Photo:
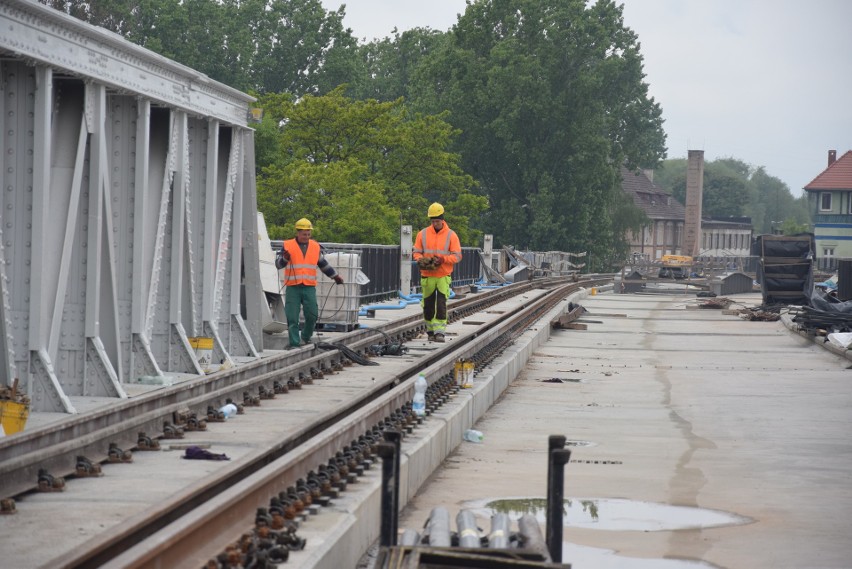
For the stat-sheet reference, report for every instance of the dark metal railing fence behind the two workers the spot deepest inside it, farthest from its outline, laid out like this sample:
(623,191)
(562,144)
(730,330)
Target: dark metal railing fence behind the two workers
(380,263)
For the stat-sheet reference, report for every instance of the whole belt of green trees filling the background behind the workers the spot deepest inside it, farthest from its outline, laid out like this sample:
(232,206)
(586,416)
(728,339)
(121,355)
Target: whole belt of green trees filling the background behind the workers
(540,102)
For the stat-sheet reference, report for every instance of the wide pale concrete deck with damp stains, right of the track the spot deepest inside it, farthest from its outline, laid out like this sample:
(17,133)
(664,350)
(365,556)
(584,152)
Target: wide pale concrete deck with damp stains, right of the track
(683,407)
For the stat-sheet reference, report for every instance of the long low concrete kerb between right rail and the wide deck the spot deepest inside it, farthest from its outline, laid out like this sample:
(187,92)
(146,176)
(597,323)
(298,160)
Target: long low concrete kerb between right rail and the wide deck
(356,525)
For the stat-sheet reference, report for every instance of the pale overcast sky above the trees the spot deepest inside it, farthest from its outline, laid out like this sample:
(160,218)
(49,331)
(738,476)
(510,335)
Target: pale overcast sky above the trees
(766,81)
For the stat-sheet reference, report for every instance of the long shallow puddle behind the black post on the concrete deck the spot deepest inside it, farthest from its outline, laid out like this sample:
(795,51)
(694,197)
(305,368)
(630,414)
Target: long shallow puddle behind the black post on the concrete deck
(610,513)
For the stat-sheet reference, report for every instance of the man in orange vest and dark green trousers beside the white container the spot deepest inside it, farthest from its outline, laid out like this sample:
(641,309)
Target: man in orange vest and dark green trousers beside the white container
(299,258)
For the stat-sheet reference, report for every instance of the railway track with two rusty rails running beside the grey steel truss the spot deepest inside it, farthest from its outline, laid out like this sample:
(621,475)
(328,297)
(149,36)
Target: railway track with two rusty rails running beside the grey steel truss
(186,527)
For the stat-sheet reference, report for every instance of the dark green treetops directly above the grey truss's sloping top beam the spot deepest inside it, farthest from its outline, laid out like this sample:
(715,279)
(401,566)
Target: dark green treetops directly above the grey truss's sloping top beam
(253,45)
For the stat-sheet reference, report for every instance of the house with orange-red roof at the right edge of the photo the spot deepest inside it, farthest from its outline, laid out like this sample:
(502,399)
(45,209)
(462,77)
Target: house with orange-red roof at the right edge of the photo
(830,202)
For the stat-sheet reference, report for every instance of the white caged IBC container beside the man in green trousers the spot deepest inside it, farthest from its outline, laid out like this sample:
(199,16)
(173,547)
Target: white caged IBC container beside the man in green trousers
(339,304)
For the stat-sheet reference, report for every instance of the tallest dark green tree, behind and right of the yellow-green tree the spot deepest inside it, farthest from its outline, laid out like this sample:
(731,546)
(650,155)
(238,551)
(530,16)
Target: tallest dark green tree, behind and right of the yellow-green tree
(550,101)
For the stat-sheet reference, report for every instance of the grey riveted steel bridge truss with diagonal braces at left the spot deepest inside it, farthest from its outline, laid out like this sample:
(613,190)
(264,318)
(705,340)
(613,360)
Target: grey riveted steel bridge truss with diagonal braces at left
(127,213)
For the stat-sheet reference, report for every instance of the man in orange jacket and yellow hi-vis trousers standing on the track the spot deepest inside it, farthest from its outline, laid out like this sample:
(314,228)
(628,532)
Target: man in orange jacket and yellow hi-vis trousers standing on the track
(436,250)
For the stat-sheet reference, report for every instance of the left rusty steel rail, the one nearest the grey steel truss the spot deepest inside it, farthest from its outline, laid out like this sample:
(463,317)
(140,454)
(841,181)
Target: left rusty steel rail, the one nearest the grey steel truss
(55,447)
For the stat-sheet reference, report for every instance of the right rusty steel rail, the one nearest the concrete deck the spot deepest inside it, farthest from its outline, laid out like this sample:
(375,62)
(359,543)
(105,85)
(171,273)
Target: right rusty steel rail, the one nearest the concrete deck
(191,527)
